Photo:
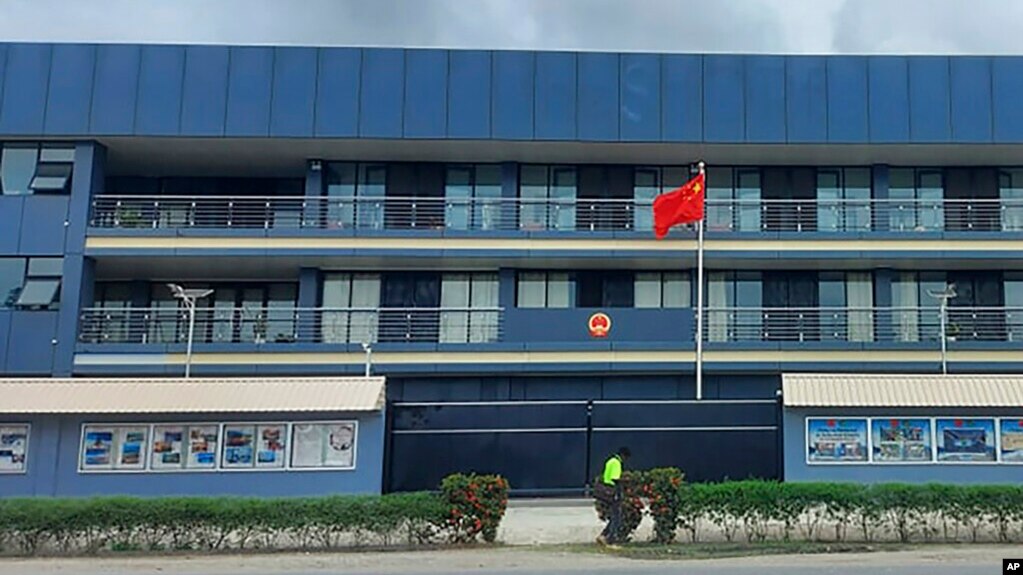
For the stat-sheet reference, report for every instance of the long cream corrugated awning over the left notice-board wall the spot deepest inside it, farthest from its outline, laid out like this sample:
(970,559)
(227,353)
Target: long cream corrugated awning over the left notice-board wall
(200,395)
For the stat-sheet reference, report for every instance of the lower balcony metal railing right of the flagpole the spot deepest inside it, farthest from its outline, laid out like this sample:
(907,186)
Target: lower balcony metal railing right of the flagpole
(863,325)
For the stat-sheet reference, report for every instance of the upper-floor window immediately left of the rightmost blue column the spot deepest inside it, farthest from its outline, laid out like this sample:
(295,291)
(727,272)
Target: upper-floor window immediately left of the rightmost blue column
(844,200)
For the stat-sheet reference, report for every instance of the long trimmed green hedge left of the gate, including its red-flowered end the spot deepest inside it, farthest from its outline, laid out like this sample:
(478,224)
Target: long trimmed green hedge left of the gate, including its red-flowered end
(33,526)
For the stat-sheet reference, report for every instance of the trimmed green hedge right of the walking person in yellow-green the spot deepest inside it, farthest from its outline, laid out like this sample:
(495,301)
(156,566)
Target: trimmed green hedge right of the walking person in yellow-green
(761,511)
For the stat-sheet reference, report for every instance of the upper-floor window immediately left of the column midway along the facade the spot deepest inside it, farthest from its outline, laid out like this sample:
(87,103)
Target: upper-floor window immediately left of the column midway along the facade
(473,197)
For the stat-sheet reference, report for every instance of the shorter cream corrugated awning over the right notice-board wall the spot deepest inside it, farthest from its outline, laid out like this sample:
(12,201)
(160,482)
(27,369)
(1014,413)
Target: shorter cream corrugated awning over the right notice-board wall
(861,390)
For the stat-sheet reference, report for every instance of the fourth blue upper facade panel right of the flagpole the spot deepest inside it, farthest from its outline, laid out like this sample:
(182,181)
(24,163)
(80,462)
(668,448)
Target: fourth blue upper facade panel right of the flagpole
(848,115)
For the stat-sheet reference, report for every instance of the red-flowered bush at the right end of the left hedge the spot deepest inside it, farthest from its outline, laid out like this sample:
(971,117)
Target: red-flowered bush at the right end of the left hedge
(476,504)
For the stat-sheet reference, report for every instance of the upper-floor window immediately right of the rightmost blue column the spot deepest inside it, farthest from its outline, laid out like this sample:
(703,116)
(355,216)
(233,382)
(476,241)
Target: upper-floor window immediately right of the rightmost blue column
(916,200)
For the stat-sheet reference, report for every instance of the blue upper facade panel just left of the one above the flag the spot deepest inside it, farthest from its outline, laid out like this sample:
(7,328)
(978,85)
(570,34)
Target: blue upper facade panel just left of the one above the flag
(641,98)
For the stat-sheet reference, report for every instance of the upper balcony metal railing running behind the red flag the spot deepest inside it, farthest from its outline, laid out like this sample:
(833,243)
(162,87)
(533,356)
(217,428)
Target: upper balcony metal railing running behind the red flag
(568,215)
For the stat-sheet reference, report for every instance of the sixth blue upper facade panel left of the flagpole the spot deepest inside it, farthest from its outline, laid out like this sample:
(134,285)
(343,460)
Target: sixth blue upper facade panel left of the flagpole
(469,95)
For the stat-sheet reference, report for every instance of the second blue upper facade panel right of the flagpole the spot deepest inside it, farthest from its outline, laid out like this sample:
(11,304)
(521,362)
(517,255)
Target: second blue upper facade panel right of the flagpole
(766,114)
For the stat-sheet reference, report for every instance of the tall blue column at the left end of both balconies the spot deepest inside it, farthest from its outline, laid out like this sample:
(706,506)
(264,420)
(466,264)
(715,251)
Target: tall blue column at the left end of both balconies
(78,281)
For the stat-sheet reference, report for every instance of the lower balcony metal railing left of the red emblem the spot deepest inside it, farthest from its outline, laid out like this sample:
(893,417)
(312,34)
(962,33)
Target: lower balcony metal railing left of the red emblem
(291,326)
